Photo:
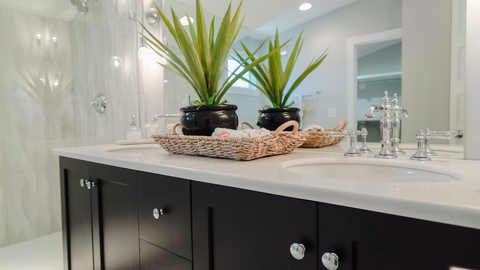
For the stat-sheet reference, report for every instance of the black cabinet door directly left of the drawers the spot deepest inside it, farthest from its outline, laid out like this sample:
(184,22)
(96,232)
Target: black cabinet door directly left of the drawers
(115,218)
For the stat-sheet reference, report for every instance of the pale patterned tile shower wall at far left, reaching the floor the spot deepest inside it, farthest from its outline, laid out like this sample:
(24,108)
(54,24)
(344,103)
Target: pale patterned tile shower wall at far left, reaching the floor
(36,102)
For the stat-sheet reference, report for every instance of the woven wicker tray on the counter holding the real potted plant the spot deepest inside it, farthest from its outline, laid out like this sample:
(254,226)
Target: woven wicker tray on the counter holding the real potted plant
(278,143)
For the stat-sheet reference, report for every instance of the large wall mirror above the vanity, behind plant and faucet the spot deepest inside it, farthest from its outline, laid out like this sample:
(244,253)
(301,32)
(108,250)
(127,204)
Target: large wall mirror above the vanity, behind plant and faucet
(414,49)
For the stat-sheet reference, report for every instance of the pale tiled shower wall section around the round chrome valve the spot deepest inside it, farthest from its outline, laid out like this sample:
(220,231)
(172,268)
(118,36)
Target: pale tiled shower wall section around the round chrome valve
(96,45)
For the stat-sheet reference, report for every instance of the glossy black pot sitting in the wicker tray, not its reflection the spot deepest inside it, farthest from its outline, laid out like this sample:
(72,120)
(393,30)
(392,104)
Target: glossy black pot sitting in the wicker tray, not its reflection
(202,120)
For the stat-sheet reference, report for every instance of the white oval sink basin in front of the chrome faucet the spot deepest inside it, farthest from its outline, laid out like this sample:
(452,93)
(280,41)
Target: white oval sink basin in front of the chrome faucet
(381,171)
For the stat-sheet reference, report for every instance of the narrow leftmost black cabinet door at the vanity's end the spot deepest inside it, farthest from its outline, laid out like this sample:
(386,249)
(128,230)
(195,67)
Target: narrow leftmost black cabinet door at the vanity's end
(76,215)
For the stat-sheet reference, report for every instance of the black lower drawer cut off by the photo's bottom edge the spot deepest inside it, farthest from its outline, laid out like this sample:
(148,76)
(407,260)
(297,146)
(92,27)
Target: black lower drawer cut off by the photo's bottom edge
(154,258)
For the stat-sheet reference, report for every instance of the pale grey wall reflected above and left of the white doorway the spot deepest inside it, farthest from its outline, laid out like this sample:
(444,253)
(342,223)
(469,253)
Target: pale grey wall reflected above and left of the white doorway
(332,30)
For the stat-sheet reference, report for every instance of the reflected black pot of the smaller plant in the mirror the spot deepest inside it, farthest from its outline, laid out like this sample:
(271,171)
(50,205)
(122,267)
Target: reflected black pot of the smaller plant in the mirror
(272,118)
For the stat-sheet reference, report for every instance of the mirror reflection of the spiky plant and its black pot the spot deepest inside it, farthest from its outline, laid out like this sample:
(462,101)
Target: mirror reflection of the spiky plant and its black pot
(272,82)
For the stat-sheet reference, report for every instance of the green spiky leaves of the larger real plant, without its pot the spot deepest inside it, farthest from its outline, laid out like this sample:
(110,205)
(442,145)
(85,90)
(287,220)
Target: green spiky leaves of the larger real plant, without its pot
(204,55)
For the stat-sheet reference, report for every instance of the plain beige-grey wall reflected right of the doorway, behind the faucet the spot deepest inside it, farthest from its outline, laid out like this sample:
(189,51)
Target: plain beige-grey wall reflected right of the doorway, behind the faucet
(426,65)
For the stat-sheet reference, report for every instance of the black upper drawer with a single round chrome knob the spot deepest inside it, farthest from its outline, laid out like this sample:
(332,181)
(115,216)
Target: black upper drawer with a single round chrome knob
(170,196)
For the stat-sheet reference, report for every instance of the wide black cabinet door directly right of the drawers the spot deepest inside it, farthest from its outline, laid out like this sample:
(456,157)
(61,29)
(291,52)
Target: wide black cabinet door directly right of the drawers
(236,229)
